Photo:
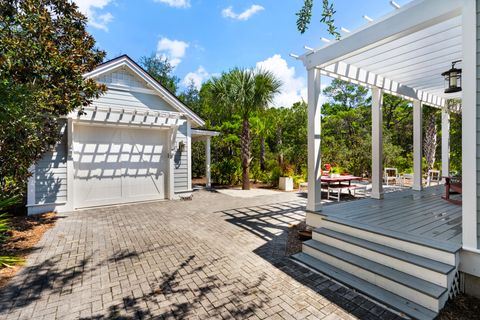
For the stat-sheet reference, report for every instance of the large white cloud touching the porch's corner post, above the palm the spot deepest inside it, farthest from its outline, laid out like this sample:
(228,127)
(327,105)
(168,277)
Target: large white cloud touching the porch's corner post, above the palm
(294,87)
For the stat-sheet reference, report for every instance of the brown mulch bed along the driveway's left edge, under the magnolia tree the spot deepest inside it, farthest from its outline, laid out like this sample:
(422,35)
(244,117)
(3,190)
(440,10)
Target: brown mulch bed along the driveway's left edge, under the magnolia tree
(24,235)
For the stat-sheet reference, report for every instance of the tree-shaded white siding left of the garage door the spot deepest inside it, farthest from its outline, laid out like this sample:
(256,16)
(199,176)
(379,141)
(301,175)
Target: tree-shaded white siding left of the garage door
(51,174)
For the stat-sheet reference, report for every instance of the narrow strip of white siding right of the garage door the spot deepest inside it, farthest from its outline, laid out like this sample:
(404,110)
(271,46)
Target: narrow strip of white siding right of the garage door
(180,162)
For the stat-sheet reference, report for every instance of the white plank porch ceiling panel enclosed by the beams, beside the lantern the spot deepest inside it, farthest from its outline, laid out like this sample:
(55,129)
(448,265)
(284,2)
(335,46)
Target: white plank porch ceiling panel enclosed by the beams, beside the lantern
(418,59)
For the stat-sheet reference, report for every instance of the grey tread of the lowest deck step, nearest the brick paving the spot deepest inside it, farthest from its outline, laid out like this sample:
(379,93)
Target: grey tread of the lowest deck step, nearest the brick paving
(403,305)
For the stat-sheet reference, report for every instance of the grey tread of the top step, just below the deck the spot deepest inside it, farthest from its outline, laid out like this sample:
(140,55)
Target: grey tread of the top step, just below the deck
(388,251)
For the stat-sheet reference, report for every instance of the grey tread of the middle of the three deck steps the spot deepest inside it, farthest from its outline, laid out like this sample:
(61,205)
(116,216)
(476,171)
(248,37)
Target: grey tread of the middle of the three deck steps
(417,284)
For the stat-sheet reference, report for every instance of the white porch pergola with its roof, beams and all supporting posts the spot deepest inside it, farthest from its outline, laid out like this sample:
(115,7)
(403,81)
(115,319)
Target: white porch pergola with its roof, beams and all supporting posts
(404,54)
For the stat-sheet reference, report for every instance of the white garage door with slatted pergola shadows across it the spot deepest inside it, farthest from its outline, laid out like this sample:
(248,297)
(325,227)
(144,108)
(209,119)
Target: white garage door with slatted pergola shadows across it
(118,165)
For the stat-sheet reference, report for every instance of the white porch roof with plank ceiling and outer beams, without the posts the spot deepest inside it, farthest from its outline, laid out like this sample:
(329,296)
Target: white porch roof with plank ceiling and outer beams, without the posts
(404,52)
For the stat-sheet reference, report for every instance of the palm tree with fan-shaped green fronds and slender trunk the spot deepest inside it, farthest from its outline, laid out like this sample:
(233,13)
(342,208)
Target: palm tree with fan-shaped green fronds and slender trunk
(242,92)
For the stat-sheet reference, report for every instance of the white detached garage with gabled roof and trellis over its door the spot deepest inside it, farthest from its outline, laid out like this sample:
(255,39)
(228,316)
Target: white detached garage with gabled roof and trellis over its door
(132,144)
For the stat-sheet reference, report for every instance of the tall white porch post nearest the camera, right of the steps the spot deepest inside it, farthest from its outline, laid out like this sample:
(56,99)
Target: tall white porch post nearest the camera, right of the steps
(469,128)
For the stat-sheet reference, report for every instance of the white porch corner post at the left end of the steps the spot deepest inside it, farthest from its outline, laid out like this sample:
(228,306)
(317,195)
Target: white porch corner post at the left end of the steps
(314,130)
